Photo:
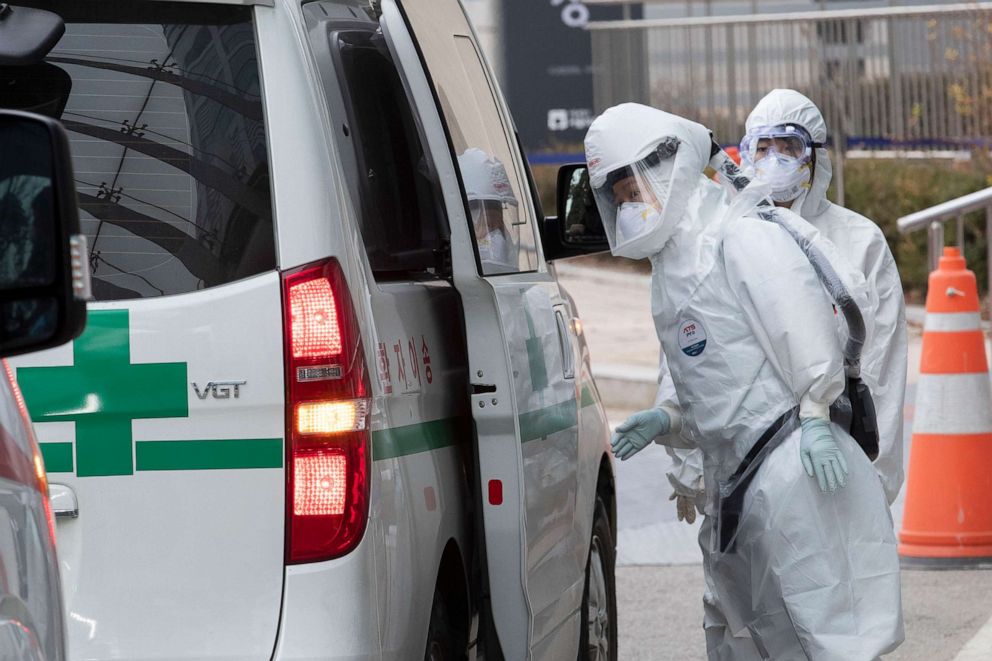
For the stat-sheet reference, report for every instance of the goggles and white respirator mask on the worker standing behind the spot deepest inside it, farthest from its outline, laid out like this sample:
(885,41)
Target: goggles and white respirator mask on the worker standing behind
(781,156)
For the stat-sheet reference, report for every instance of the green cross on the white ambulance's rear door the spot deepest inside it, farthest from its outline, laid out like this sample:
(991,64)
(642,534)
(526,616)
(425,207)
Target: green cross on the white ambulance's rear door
(103,393)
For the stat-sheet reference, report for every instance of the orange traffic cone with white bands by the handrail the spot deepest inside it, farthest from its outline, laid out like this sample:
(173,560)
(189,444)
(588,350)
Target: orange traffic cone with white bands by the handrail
(948,514)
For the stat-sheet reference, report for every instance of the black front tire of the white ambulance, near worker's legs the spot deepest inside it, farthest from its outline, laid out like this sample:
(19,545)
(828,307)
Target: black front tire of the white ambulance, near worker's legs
(598,634)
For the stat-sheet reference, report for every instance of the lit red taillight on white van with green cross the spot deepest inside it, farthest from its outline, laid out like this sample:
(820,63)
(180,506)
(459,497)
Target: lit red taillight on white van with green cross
(327,409)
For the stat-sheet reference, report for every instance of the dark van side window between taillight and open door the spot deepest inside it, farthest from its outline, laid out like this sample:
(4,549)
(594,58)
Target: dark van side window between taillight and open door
(392,183)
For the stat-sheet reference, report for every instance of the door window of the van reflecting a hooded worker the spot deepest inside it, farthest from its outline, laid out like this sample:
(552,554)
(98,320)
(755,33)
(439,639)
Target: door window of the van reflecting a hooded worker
(496,193)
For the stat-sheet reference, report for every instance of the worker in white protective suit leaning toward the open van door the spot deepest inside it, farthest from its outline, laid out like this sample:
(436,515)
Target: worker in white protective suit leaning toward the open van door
(802,551)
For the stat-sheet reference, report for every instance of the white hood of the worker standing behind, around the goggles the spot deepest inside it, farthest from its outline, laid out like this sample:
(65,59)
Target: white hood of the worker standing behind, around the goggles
(784,106)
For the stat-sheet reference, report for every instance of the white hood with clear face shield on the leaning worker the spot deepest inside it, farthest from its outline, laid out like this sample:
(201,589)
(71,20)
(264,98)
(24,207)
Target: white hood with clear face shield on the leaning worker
(662,152)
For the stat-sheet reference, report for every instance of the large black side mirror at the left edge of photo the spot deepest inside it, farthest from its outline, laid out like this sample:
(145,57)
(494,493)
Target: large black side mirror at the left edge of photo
(44,272)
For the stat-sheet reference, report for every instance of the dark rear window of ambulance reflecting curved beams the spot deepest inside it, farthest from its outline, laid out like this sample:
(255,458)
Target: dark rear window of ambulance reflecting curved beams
(163,107)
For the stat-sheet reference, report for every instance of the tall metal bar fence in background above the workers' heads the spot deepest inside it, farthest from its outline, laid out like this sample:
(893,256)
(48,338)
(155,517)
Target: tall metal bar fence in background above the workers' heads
(918,77)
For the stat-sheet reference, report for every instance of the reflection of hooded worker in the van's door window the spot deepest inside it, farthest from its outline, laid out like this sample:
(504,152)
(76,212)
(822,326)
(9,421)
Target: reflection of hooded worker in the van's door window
(493,208)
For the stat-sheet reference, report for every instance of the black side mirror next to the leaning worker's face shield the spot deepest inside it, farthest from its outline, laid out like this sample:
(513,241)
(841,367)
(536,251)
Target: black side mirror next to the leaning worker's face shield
(578,229)
